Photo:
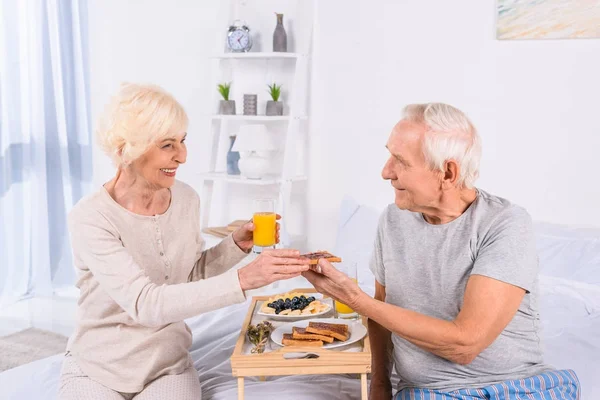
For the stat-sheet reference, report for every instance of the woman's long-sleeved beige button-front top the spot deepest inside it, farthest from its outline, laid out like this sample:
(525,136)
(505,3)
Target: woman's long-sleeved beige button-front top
(139,278)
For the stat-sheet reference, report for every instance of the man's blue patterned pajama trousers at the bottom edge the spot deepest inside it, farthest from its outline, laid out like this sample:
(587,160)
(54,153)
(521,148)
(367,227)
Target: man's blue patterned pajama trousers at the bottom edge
(562,384)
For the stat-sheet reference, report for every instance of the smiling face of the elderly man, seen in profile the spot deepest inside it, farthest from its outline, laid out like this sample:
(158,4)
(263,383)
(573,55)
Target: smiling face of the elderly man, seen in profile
(415,185)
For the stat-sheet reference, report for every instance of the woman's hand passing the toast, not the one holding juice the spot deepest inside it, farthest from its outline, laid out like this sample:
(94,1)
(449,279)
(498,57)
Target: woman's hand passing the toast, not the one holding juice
(271,266)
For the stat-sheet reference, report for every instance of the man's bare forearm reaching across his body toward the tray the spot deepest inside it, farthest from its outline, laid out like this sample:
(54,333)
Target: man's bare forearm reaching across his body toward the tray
(442,338)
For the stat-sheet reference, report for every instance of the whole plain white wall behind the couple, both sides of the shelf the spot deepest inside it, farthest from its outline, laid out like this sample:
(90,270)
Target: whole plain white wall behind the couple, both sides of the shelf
(534,102)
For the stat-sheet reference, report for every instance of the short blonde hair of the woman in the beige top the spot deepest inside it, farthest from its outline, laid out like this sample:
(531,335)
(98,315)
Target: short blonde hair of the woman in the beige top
(137,117)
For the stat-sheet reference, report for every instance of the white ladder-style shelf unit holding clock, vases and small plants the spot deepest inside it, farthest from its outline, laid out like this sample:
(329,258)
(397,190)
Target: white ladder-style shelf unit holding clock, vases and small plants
(294,124)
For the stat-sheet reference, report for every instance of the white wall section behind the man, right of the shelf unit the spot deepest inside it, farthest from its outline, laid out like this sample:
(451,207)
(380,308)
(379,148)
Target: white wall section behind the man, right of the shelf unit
(535,104)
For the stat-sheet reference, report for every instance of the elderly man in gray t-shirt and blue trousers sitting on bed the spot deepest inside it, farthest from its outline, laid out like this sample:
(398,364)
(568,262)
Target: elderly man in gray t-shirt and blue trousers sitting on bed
(455,305)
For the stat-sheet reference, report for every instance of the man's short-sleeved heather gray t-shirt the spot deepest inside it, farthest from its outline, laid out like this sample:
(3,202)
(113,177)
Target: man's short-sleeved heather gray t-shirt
(425,268)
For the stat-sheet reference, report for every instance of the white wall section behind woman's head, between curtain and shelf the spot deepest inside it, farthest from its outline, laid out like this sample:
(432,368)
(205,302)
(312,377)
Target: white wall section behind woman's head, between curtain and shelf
(152,42)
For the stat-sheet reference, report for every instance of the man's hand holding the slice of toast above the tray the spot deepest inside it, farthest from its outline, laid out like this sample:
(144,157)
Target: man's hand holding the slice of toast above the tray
(333,283)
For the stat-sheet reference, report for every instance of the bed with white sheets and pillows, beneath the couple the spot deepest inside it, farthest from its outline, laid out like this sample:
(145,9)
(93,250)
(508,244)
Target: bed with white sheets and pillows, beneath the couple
(570,313)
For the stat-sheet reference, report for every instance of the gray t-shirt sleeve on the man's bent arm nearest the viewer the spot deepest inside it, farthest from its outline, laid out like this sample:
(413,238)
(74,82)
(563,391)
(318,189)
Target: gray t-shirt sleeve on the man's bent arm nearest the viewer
(507,251)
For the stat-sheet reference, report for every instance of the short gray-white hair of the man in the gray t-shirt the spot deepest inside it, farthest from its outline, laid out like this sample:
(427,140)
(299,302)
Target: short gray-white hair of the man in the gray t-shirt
(450,136)
